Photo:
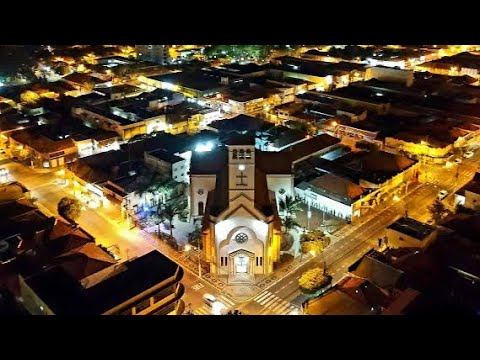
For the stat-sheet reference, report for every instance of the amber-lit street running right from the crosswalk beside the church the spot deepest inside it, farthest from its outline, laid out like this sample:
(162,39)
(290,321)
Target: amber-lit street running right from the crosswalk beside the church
(359,239)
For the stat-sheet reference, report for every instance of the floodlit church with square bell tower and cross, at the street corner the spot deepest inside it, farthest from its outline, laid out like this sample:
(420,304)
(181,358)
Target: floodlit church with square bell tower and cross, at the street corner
(235,191)
